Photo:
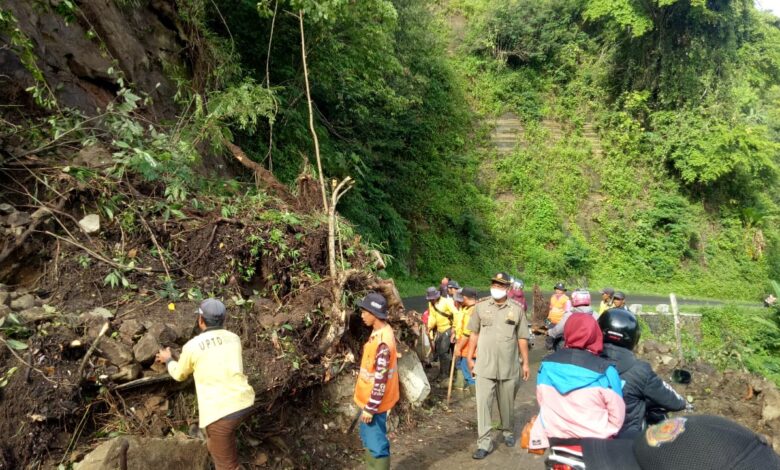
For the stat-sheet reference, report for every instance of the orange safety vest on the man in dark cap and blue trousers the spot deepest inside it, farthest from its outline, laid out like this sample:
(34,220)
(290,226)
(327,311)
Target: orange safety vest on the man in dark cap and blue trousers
(365,381)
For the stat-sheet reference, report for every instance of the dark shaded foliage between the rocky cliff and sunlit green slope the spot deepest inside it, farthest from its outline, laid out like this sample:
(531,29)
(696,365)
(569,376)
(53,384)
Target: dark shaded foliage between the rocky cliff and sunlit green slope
(389,113)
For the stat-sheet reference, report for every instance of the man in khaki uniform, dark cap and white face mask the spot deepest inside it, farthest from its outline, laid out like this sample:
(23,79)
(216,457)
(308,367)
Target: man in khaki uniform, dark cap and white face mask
(499,330)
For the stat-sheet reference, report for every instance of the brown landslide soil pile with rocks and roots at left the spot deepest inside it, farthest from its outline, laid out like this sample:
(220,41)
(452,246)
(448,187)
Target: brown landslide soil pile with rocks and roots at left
(102,273)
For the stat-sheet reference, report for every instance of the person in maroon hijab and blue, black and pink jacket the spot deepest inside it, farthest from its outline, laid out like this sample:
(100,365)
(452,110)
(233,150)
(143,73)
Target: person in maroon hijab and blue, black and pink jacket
(579,393)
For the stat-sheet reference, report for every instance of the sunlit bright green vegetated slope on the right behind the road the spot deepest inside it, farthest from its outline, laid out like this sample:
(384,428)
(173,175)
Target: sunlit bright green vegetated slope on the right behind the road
(649,148)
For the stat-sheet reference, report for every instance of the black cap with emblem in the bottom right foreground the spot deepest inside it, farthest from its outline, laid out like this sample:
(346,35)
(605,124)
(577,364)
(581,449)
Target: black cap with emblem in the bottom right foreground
(690,442)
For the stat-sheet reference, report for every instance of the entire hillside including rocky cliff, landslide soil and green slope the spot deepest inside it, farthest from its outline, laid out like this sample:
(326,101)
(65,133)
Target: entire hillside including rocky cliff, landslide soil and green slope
(290,156)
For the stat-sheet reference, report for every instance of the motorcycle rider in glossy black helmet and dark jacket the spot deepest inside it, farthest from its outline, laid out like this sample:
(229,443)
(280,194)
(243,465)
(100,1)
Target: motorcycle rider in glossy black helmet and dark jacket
(643,391)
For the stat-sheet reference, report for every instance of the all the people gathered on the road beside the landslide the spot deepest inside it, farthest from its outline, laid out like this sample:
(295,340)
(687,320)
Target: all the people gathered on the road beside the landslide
(591,387)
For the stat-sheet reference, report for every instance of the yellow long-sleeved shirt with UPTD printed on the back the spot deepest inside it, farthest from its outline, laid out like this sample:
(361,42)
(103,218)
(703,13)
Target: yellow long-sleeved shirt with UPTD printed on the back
(214,358)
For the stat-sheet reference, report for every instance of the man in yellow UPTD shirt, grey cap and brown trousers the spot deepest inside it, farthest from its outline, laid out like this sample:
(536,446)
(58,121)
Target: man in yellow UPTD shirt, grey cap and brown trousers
(225,397)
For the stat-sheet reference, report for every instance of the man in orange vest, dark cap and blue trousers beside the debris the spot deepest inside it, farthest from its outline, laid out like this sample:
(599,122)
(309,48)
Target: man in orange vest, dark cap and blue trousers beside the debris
(377,389)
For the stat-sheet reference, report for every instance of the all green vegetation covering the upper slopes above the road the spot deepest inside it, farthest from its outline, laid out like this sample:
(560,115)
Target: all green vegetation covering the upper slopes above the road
(647,158)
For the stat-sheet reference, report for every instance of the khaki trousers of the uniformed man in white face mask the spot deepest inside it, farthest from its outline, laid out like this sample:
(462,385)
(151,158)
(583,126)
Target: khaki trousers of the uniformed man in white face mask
(504,393)
